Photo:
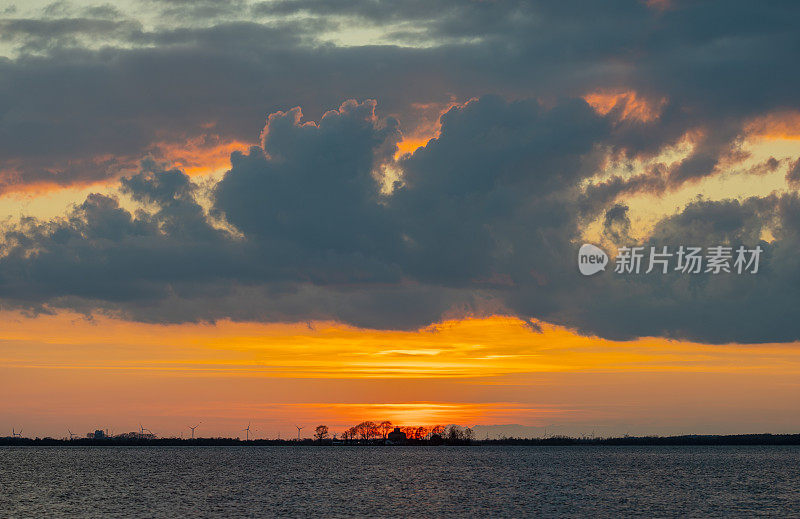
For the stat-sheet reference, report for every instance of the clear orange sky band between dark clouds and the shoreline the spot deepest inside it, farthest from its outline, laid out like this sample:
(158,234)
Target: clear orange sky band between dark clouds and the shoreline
(64,371)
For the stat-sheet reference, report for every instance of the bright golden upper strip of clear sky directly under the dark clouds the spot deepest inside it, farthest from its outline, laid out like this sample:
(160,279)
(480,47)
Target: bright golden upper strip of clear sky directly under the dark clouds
(471,347)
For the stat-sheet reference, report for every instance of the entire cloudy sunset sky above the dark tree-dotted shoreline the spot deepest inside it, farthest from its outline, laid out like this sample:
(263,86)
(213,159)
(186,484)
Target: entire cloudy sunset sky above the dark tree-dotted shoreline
(294,212)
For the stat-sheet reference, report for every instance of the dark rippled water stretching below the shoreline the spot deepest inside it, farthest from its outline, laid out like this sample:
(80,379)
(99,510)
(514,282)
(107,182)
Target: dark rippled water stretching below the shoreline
(402,481)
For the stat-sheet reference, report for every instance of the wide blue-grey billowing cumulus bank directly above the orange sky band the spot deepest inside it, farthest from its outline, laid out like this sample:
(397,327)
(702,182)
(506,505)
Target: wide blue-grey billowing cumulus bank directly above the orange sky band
(486,219)
